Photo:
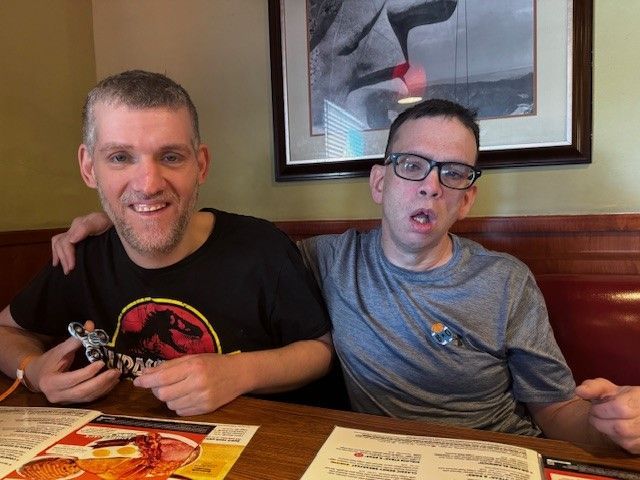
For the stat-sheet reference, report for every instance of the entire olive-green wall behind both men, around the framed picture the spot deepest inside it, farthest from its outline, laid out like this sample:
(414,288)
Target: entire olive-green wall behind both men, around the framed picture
(219,50)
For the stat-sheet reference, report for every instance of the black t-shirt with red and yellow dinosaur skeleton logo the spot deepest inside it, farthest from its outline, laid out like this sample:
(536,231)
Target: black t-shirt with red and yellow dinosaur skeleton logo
(245,289)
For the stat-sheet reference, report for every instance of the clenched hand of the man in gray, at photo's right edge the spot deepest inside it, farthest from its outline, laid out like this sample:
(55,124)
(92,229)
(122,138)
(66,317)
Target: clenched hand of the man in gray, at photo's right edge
(615,411)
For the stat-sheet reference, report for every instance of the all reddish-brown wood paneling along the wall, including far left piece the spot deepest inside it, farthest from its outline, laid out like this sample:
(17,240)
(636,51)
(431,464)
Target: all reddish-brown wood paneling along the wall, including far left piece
(548,244)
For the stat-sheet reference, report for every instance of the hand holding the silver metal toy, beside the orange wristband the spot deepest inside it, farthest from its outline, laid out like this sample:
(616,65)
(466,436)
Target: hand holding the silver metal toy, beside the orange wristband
(50,374)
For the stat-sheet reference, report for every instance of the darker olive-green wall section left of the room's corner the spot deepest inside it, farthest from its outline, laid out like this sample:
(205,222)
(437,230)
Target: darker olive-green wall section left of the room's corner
(47,66)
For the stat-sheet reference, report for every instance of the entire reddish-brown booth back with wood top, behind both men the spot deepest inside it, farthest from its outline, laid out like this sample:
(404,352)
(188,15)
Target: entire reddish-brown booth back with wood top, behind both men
(595,317)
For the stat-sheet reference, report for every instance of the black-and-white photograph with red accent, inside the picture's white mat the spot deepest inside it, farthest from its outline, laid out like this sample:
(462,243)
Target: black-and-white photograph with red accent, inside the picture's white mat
(368,61)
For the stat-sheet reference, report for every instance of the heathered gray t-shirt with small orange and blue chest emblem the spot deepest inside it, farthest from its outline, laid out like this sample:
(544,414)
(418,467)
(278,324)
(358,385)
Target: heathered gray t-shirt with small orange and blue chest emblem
(387,322)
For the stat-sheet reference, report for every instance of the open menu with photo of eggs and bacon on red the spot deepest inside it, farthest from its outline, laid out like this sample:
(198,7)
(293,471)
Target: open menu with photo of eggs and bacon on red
(67,443)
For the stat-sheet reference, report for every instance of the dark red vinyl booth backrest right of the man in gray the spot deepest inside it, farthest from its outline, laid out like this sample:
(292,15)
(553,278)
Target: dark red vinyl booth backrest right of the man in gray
(596,322)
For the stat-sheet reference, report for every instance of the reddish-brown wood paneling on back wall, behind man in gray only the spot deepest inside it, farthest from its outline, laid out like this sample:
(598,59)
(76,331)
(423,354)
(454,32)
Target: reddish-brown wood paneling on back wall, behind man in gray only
(548,244)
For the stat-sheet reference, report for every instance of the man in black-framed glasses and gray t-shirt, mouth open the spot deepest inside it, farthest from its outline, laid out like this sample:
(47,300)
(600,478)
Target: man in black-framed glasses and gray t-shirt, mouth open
(428,325)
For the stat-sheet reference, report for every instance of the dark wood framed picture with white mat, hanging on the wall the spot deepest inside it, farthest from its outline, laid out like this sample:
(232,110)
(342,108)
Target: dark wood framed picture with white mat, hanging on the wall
(342,70)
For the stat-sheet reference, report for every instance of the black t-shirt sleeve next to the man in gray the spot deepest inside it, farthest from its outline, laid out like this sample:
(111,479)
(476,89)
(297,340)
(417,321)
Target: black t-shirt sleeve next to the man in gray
(299,309)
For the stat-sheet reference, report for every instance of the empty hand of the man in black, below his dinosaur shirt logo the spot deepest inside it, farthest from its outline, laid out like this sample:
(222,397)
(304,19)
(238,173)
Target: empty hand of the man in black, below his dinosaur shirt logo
(195,384)
